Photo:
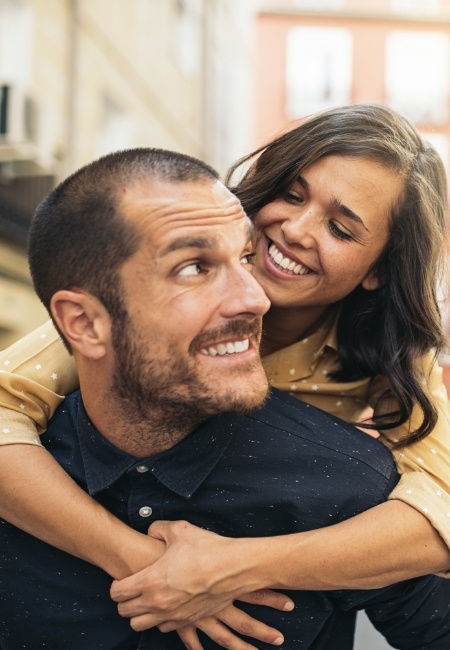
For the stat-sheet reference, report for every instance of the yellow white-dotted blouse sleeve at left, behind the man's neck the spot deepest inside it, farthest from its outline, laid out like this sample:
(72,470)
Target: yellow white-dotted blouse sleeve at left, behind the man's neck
(35,374)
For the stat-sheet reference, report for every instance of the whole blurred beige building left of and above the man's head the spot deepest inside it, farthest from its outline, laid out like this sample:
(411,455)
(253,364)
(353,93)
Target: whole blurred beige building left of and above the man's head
(80,78)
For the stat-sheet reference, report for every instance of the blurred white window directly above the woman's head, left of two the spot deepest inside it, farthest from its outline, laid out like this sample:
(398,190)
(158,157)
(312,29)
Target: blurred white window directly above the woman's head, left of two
(318,69)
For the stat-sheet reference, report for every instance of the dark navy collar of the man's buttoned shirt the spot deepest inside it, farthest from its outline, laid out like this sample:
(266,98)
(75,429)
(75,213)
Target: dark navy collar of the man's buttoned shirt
(182,469)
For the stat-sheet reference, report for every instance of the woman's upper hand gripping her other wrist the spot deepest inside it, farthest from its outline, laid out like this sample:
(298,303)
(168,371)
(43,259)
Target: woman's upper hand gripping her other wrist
(200,574)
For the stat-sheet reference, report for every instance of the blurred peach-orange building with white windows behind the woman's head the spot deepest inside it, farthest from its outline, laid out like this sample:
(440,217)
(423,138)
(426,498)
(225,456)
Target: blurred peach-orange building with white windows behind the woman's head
(327,53)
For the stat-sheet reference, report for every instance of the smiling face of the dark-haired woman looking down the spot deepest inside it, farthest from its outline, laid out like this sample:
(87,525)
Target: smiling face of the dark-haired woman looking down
(320,240)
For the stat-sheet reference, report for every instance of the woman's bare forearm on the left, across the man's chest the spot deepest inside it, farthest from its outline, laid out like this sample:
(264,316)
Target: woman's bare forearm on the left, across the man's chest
(40,498)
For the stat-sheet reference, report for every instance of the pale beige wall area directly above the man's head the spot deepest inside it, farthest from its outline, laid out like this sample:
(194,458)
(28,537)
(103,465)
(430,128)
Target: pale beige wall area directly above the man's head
(164,67)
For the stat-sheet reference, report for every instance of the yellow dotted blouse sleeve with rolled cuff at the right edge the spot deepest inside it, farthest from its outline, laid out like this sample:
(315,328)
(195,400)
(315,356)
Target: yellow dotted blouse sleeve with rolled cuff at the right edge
(425,465)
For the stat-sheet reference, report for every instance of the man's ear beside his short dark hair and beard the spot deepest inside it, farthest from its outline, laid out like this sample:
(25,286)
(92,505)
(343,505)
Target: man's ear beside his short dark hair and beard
(83,320)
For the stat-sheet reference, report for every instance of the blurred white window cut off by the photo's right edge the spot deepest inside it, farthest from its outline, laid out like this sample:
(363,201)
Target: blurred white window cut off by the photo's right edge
(417,75)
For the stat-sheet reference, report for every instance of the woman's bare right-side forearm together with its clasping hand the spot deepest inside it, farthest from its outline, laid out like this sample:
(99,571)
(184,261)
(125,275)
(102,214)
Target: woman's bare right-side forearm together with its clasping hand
(386,544)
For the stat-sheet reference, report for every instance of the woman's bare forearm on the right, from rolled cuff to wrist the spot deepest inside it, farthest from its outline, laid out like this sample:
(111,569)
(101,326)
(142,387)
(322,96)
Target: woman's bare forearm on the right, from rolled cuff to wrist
(387,544)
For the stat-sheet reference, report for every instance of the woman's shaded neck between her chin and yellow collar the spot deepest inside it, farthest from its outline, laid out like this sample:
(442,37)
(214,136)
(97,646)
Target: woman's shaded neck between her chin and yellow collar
(283,327)
